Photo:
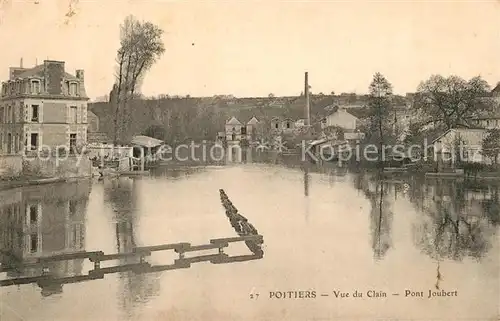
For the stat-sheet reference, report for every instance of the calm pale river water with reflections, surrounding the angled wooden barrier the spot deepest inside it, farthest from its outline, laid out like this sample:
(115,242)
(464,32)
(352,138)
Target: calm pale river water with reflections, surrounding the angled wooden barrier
(323,233)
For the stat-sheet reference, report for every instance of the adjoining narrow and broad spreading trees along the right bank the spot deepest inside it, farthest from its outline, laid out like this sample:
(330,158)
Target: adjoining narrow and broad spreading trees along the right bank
(439,104)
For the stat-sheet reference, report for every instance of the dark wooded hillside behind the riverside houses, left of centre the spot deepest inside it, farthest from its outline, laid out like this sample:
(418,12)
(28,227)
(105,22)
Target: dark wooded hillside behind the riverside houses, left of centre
(176,119)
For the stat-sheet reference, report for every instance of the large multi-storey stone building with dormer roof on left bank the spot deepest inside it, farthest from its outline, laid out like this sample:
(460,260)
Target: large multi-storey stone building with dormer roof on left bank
(42,106)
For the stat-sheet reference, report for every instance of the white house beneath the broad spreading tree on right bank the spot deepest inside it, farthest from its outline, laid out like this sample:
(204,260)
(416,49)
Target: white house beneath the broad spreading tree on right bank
(446,147)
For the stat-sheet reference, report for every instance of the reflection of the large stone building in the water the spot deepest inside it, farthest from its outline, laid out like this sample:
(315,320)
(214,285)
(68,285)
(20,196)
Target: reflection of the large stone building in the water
(39,222)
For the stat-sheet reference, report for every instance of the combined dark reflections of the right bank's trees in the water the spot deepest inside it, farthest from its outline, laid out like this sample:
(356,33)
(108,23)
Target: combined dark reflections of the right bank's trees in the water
(458,217)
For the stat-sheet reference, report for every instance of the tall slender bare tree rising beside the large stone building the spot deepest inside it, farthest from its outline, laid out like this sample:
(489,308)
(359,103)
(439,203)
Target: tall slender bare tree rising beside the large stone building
(140,47)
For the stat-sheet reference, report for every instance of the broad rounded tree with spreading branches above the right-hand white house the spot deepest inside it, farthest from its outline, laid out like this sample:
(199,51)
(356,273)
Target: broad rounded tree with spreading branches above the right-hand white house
(452,101)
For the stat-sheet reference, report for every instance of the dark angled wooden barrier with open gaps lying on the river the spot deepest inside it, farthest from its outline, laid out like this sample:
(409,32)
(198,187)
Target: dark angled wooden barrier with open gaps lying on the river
(247,233)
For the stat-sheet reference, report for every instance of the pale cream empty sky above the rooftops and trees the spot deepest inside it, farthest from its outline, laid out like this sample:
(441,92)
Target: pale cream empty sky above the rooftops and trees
(254,48)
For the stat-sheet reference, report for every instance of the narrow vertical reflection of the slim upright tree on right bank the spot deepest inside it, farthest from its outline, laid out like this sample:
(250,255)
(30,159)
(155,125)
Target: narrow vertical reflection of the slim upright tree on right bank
(381,215)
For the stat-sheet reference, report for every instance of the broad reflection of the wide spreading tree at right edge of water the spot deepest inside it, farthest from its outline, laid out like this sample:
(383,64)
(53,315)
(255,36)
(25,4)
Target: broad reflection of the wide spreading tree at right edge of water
(459,218)
